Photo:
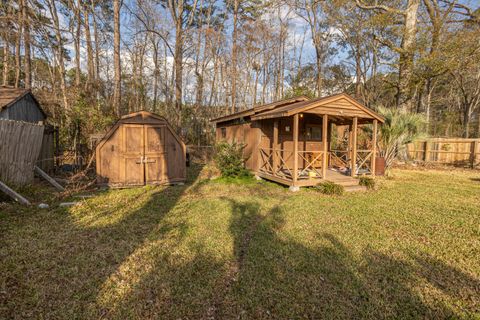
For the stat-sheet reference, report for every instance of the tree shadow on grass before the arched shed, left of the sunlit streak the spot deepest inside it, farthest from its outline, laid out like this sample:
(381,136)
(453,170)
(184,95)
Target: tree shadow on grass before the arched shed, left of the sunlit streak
(57,264)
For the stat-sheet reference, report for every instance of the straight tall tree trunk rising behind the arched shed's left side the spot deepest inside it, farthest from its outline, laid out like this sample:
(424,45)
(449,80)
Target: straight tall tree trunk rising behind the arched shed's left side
(116,58)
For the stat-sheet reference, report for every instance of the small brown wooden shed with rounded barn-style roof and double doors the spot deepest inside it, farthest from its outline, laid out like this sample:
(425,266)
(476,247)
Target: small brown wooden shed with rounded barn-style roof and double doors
(141,148)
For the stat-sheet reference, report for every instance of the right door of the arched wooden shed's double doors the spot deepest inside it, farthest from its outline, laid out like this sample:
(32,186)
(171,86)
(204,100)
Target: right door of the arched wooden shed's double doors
(155,154)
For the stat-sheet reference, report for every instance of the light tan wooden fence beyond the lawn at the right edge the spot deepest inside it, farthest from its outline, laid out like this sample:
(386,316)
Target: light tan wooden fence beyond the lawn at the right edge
(456,151)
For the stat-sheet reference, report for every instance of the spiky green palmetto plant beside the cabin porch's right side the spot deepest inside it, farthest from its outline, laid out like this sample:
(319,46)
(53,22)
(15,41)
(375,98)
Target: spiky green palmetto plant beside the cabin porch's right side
(400,128)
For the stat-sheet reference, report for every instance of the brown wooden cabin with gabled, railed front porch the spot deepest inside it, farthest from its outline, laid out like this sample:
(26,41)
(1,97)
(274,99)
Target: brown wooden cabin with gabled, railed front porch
(290,141)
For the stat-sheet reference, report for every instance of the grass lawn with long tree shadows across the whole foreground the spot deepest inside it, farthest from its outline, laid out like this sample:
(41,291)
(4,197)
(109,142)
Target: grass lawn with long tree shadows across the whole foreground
(228,249)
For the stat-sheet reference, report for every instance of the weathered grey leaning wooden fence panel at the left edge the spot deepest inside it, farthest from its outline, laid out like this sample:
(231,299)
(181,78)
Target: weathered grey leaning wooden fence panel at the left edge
(20,144)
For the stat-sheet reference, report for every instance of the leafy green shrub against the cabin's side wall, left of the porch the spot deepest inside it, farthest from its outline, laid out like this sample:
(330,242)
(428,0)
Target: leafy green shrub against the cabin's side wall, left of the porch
(229,159)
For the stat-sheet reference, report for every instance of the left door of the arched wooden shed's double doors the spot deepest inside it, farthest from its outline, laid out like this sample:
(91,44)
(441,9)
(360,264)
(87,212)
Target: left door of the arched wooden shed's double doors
(134,171)
